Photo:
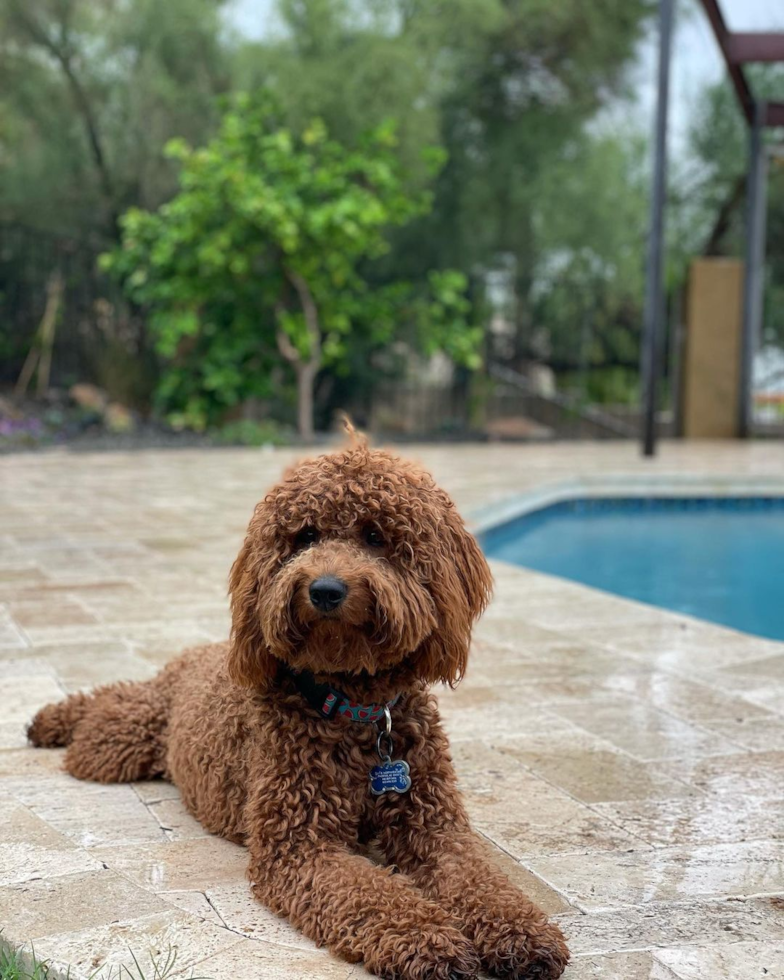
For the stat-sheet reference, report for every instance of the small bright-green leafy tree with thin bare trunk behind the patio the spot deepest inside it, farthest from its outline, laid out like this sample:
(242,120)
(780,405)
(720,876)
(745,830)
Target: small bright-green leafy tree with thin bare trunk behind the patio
(263,250)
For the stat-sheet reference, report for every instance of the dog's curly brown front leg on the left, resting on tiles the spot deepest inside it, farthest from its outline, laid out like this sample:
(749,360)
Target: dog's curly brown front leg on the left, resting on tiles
(360,911)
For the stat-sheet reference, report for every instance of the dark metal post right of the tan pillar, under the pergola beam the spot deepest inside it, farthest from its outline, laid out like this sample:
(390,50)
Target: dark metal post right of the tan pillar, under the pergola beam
(754,275)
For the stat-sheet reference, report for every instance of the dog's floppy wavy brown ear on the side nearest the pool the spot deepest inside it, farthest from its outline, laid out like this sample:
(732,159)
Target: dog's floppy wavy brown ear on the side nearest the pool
(461,585)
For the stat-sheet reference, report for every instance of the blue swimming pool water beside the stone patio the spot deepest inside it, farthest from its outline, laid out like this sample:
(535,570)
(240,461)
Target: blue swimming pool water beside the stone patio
(719,559)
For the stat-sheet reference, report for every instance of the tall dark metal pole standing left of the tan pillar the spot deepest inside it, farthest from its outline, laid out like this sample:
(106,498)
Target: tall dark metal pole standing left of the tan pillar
(654,299)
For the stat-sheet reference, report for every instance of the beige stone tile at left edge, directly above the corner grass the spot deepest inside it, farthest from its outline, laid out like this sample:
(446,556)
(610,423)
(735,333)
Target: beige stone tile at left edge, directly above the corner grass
(67,903)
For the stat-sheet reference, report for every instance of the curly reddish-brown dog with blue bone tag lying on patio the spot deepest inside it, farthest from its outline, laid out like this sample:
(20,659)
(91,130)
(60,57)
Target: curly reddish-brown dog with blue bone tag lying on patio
(355,589)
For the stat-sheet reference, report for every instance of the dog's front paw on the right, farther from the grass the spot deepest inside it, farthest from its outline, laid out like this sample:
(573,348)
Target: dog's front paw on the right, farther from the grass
(536,952)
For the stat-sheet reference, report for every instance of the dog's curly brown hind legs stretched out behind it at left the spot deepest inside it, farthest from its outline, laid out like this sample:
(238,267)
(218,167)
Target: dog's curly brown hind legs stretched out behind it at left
(115,735)
